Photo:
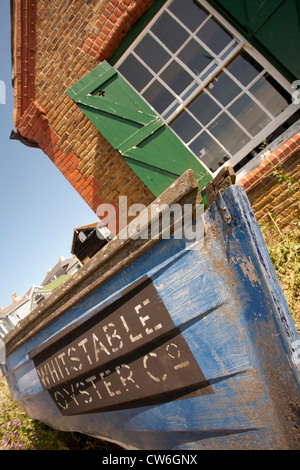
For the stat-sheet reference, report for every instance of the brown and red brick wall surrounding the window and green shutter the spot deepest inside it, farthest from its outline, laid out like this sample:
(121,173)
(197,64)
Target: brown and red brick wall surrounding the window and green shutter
(56,42)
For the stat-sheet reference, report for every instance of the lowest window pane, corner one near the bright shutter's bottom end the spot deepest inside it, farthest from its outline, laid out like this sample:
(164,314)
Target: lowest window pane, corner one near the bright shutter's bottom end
(209,151)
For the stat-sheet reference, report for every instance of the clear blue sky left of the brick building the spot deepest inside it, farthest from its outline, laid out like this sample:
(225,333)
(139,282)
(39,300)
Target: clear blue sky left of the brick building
(38,207)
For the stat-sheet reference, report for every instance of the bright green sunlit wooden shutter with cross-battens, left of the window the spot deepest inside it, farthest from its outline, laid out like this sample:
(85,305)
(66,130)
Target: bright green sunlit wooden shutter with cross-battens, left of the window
(148,145)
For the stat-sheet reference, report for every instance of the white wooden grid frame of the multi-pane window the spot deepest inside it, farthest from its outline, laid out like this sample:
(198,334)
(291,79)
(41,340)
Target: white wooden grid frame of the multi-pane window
(241,45)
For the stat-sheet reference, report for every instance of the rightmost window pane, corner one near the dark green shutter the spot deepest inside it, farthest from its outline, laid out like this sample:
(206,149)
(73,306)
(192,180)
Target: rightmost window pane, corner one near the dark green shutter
(270,94)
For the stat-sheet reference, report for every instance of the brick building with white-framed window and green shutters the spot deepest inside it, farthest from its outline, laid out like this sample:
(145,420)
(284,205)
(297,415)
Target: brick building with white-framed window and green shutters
(213,84)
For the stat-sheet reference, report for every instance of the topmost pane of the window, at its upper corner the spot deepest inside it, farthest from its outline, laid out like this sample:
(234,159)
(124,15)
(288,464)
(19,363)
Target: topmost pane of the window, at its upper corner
(191,14)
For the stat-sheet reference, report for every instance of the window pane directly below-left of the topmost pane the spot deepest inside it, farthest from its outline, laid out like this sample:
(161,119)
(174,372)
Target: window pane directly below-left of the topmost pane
(169,32)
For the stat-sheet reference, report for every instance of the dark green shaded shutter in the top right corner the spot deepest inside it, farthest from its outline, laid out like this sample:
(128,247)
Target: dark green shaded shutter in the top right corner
(272,26)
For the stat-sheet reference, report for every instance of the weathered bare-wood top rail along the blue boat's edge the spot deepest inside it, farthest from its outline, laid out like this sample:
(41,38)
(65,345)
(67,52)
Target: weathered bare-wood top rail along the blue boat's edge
(114,257)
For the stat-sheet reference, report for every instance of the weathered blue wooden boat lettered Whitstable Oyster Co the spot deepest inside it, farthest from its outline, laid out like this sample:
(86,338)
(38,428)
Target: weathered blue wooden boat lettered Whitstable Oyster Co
(166,343)
